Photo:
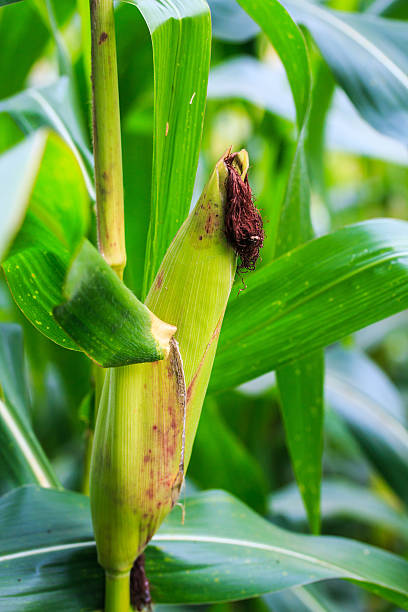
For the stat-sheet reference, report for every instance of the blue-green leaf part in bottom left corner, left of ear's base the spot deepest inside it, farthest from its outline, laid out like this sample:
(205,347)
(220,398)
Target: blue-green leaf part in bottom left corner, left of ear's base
(68,576)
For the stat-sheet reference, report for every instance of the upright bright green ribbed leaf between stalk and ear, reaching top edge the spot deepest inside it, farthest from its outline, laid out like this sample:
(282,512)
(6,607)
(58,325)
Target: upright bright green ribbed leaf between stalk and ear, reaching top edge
(181,39)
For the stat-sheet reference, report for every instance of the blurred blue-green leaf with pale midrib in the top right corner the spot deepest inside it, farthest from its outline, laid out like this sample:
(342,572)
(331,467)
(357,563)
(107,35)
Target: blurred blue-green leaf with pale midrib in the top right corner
(369,59)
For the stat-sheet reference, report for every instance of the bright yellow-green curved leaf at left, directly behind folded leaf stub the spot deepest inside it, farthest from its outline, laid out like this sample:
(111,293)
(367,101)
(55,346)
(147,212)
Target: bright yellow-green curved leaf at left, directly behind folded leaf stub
(56,221)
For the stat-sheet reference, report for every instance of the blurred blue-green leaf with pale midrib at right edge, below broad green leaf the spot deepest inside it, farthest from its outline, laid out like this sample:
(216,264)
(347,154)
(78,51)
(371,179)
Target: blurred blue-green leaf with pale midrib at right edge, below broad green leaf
(374,412)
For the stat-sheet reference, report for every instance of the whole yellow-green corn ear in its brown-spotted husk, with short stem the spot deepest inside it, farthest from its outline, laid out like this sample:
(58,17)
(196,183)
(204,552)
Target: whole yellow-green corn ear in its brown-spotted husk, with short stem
(149,413)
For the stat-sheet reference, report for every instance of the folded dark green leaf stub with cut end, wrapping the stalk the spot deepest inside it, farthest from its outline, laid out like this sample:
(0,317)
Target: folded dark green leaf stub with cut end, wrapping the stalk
(102,316)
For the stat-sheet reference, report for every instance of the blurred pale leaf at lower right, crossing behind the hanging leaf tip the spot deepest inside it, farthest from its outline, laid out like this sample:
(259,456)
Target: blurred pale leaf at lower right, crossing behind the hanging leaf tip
(345,501)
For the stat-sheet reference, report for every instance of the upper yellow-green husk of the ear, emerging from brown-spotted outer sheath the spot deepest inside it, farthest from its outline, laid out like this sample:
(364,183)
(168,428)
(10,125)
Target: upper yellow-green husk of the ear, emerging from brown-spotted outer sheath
(192,287)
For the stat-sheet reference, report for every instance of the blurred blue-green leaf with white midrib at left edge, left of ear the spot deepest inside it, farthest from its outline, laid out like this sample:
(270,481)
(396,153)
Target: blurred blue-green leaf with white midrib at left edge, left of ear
(19,448)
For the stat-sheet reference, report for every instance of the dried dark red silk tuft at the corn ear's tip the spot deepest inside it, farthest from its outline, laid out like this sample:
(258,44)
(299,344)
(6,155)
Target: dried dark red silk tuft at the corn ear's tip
(243,221)
